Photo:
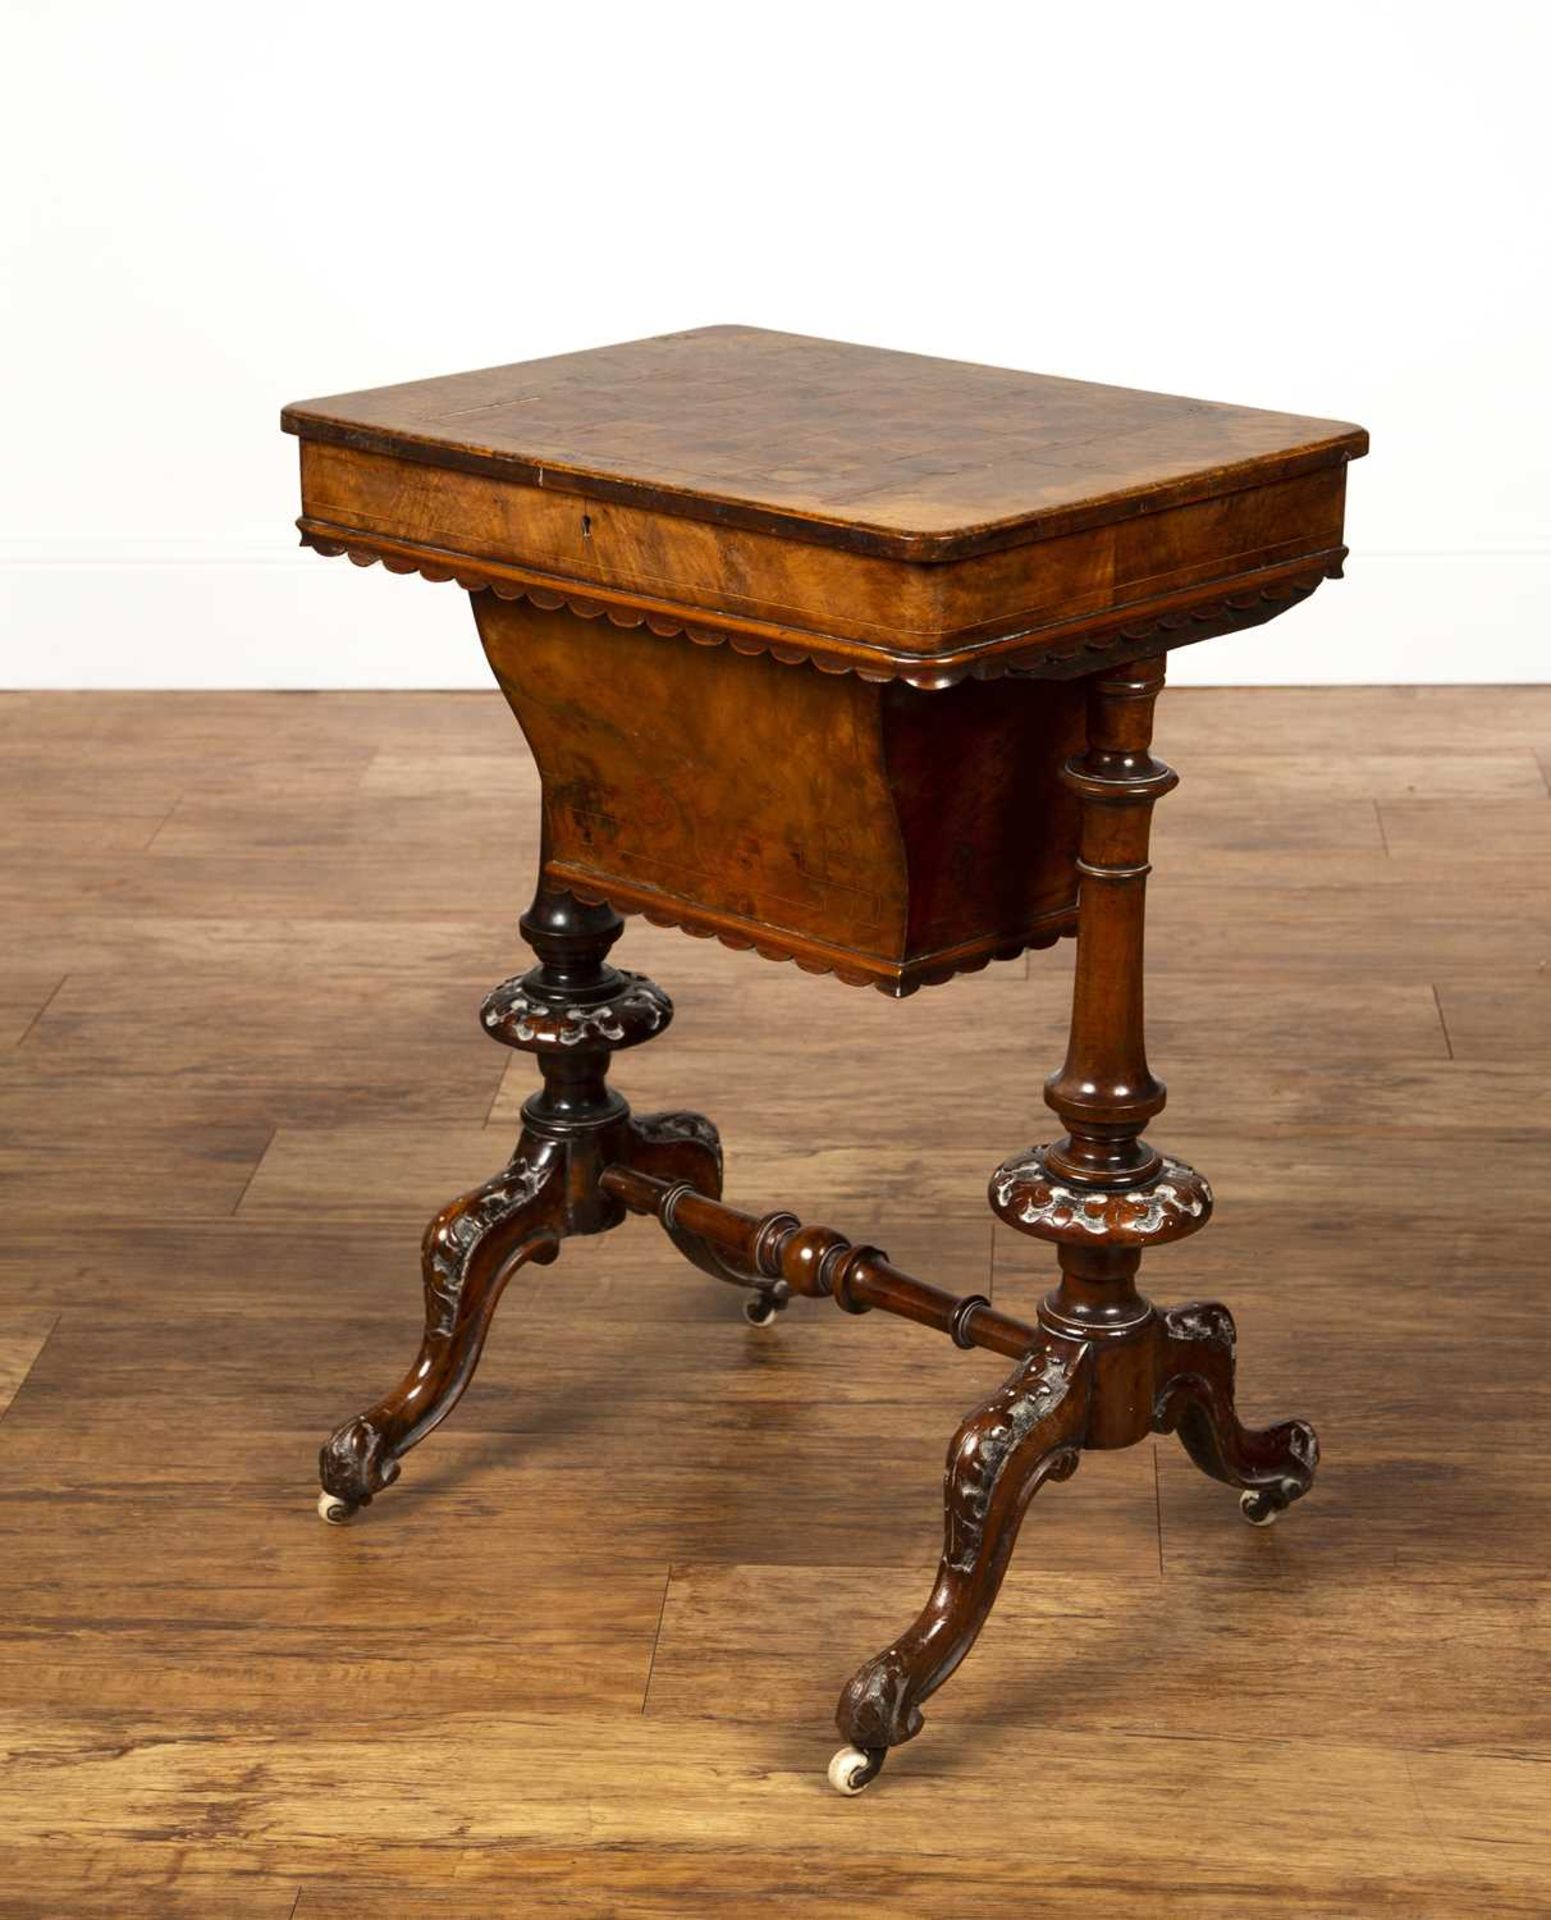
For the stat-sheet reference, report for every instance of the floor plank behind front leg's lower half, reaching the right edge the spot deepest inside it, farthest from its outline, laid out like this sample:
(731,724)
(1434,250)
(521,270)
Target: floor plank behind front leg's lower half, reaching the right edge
(1205,1656)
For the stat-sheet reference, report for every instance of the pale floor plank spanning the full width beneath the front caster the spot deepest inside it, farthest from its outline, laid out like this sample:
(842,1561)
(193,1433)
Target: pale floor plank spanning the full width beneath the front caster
(489,1783)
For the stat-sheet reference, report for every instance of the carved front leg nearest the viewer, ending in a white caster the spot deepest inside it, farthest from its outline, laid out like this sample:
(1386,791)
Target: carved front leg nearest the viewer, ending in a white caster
(1028,1433)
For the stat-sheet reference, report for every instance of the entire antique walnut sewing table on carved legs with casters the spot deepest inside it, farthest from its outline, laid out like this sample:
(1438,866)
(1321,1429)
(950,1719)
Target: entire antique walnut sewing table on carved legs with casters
(847,658)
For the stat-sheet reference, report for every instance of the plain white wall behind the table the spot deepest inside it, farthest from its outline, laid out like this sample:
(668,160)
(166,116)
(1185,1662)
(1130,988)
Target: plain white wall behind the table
(1331,208)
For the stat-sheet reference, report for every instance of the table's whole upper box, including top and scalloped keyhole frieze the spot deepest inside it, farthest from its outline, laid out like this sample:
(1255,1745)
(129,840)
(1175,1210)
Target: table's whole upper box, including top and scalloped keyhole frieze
(1099,523)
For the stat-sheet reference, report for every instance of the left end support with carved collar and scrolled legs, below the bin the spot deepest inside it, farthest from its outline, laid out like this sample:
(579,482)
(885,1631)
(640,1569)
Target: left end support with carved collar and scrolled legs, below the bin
(573,1011)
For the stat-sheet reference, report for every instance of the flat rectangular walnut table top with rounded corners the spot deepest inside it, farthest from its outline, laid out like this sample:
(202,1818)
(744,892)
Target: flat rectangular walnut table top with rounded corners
(857,448)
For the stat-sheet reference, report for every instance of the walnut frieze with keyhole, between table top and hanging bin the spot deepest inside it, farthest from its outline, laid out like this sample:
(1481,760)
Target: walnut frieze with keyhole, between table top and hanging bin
(613,550)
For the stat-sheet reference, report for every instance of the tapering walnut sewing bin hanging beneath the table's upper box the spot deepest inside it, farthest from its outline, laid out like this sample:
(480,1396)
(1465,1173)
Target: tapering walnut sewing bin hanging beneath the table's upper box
(871,830)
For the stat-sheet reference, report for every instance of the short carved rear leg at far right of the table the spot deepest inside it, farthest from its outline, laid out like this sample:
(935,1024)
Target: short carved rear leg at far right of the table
(1274,1466)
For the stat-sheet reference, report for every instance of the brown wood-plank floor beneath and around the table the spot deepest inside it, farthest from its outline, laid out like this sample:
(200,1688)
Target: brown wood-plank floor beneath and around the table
(585,1658)
